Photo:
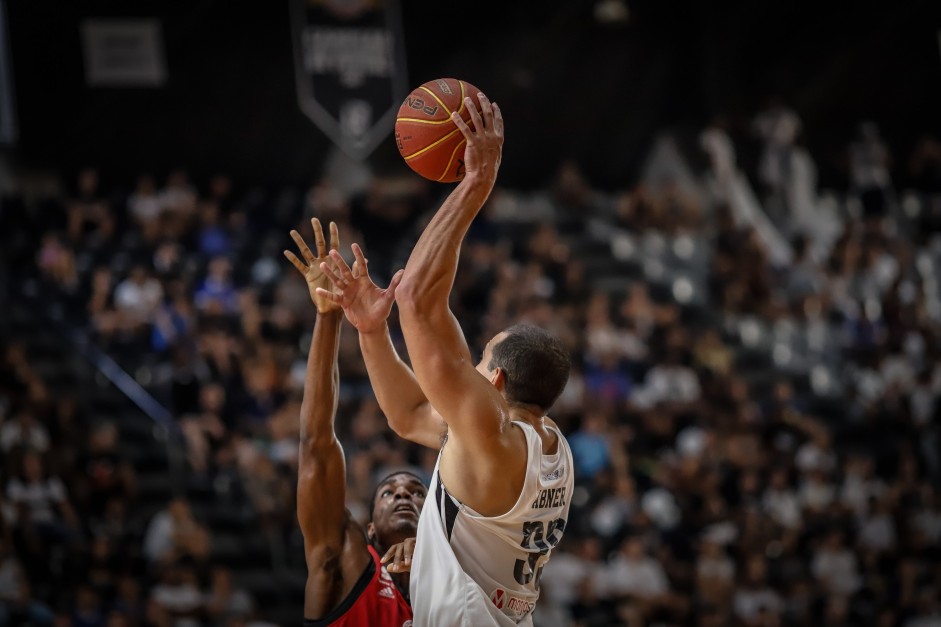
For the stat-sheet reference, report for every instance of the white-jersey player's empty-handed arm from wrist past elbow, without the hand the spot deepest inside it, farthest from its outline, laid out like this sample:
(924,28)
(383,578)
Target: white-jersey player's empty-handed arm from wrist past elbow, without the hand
(406,407)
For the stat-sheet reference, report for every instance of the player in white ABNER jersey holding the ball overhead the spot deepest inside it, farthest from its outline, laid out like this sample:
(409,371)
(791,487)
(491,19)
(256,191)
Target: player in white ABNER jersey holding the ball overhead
(503,479)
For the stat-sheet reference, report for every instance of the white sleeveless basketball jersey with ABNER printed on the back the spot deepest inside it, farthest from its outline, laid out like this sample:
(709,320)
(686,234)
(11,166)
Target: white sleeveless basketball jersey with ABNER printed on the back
(471,570)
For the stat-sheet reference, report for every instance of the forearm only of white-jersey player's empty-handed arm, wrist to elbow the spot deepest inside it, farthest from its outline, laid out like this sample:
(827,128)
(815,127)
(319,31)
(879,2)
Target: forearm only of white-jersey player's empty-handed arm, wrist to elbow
(393,382)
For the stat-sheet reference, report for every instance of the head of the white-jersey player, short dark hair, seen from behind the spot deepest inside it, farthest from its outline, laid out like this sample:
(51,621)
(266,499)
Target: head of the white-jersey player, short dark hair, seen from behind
(528,365)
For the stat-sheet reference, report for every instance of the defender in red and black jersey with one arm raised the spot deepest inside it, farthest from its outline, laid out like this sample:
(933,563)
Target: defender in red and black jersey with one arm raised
(347,583)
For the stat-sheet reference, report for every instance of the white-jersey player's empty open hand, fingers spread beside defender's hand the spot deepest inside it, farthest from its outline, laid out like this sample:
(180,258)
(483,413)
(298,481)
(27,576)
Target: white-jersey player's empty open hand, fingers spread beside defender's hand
(365,304)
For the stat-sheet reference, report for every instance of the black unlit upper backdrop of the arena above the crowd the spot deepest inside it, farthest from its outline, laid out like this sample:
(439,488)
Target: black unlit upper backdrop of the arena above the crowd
(570,88)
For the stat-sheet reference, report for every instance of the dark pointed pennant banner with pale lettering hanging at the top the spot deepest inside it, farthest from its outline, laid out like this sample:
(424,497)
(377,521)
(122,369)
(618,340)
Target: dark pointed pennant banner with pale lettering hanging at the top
(349,61)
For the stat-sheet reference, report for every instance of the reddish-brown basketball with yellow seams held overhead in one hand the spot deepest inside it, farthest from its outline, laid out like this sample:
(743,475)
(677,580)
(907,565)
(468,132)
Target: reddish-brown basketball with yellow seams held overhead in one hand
(427,139)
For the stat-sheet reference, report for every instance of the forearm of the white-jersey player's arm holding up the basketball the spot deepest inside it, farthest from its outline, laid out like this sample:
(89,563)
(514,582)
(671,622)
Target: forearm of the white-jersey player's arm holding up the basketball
(430,271)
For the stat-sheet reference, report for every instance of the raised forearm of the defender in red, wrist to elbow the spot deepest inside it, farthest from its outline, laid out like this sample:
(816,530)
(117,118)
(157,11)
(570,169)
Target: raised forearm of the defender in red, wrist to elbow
(322,380)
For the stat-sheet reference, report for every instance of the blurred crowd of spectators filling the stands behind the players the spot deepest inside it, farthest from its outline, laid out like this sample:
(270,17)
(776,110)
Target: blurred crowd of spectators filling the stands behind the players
(756,432)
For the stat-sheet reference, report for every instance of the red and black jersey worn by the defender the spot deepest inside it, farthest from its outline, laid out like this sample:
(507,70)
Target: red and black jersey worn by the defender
(375,600)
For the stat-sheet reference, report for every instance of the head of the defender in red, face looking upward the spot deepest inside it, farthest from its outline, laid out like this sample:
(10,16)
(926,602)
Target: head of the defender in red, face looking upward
(396,503)
